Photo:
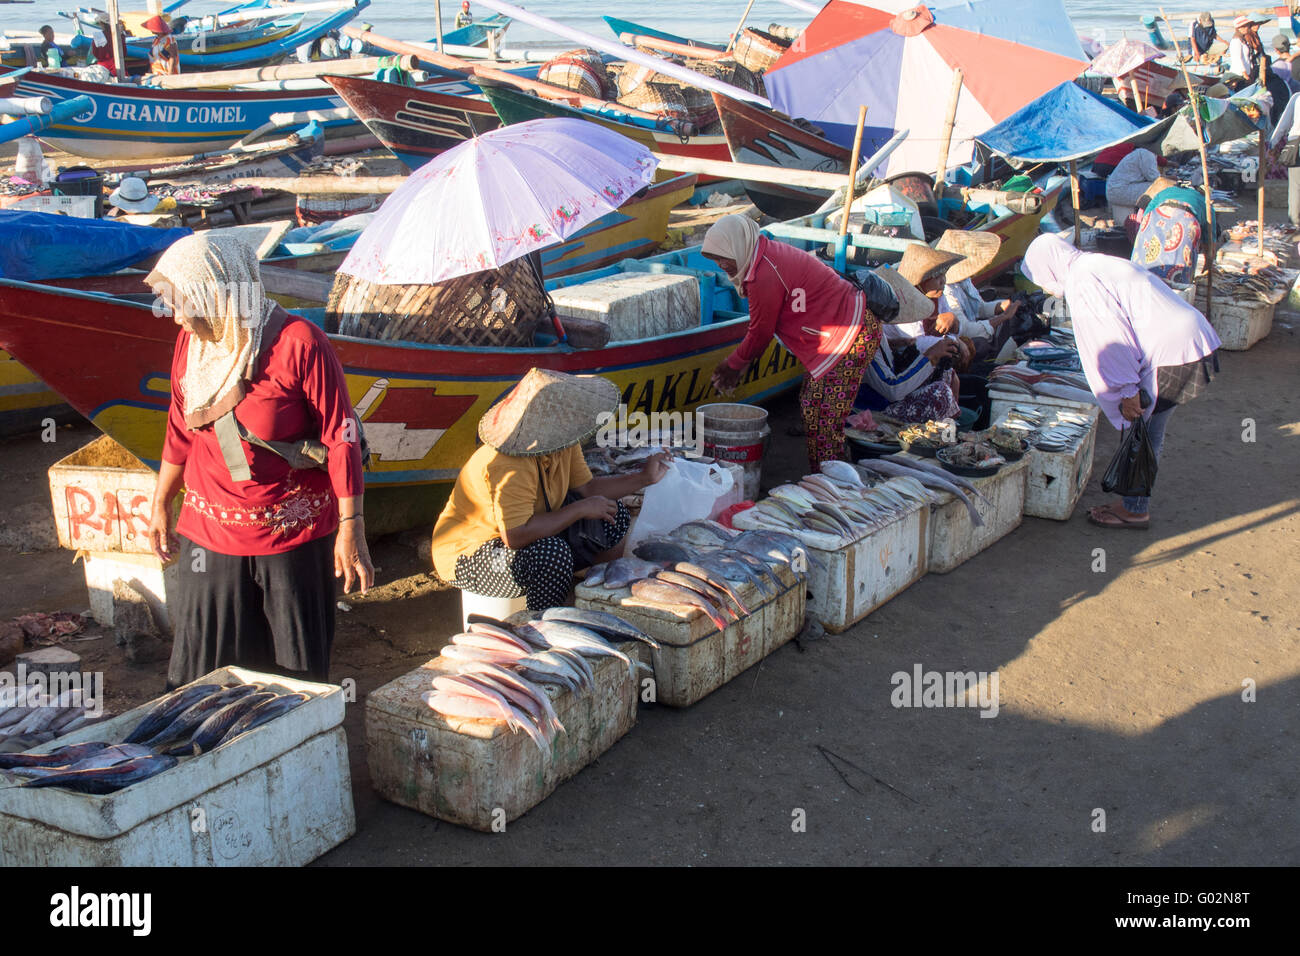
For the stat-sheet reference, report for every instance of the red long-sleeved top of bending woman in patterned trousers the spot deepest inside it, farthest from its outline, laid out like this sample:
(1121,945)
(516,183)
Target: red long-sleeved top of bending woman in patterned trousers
(803,302)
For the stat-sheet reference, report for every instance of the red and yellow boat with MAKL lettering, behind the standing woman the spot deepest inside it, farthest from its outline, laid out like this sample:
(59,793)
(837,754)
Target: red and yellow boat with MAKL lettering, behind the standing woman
(421,404)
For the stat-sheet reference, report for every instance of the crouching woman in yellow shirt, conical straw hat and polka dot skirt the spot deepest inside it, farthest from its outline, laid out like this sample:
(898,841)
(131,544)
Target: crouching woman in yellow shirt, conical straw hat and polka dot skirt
(526,512)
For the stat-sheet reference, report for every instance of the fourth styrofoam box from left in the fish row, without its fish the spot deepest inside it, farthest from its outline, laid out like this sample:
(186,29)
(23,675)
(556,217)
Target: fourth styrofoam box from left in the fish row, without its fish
(847,582)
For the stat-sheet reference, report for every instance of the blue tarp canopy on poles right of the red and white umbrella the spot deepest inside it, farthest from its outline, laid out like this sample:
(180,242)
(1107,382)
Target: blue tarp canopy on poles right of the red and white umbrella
(1067,124)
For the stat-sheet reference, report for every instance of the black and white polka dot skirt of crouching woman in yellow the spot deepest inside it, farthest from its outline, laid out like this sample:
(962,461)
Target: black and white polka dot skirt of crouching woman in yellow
(544,572)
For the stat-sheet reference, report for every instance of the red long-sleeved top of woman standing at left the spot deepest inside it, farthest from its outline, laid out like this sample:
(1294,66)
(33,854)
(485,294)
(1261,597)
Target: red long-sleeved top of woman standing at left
(300,392)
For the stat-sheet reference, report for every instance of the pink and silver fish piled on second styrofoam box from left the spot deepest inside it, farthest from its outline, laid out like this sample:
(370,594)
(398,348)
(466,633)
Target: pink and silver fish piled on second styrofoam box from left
(502,669)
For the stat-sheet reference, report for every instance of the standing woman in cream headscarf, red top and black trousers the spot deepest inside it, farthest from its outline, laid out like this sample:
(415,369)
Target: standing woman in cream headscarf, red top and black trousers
(263,436)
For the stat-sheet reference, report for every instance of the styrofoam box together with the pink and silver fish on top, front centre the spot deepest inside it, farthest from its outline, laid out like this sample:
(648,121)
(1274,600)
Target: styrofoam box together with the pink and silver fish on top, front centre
(509,712)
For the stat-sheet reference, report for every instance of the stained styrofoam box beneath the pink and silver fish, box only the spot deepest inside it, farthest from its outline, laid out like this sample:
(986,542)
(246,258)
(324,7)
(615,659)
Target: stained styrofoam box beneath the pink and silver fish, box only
(470,772)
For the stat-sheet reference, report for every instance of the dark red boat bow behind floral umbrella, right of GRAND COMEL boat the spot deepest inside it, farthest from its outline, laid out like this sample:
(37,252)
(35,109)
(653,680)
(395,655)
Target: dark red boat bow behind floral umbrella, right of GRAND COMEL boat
(415,124)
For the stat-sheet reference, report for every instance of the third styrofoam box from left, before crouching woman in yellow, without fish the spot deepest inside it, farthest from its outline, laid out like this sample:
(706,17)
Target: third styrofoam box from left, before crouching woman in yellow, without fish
(695,659)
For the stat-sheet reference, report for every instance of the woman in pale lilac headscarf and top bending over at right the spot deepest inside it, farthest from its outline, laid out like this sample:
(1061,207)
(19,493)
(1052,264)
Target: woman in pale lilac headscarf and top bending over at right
(1134,336)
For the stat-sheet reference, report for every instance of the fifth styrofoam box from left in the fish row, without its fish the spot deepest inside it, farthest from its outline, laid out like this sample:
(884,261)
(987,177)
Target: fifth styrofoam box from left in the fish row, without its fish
(954,539)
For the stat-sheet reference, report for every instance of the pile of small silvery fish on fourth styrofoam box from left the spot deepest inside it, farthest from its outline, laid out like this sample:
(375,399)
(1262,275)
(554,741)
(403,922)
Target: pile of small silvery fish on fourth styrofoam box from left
(843,503)
